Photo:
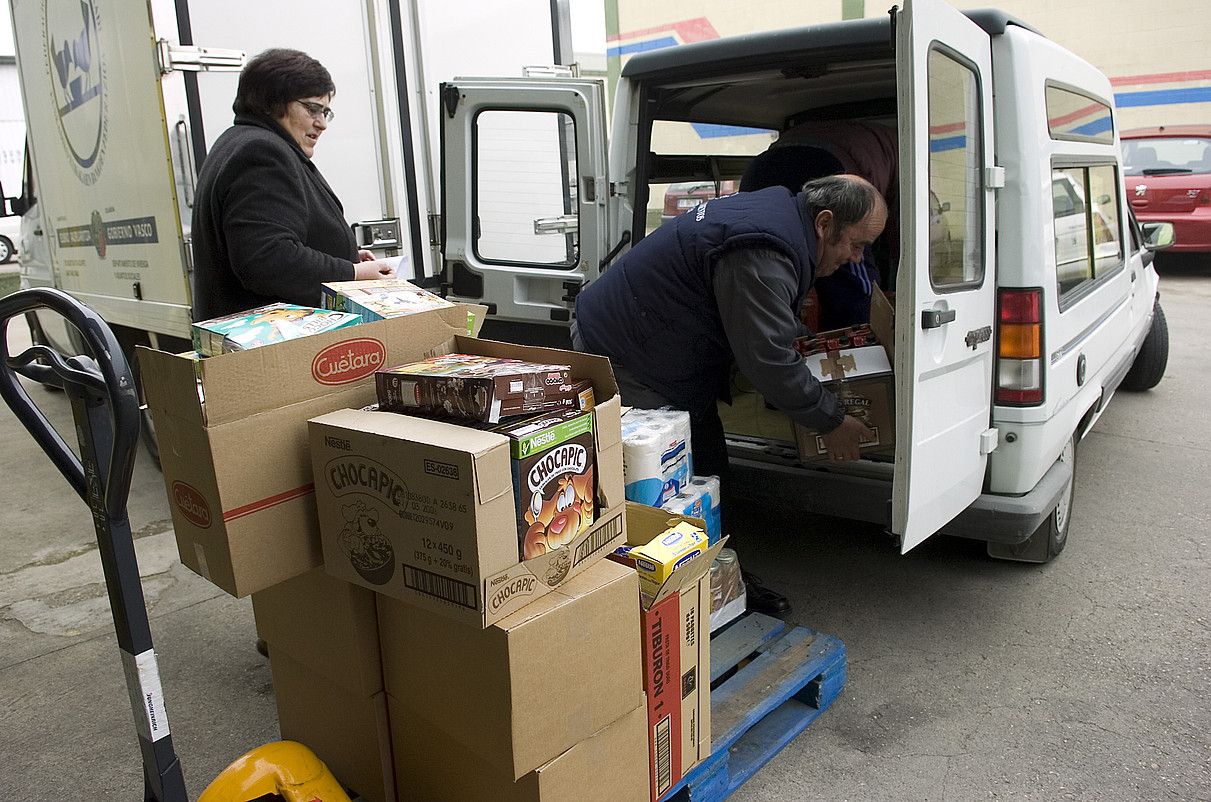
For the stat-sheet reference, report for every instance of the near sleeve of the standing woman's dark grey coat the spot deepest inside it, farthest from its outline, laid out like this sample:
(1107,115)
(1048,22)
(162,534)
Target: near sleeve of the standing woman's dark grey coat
(265,226)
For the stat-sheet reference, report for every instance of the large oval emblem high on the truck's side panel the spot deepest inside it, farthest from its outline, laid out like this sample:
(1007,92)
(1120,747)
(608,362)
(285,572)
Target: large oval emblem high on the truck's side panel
(78,81)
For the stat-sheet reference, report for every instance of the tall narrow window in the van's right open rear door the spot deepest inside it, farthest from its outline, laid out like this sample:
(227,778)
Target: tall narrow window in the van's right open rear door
(956,187)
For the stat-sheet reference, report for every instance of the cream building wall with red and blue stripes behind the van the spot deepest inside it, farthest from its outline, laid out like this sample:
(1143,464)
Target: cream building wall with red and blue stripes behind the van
(1157,54)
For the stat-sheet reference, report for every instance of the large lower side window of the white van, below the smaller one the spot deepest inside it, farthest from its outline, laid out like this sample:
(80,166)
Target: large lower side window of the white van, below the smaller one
(1088,234)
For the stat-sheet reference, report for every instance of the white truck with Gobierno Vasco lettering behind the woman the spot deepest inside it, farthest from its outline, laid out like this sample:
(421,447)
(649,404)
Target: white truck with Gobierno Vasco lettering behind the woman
(116,156)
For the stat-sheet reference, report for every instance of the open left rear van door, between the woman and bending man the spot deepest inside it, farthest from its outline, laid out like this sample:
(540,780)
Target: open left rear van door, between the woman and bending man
(526,193)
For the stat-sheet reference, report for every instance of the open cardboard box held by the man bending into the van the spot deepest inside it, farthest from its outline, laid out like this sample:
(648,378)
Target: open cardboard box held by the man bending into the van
(869,389)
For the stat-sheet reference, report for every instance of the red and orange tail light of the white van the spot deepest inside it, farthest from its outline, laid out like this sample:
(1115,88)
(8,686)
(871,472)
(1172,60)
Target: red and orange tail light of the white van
(1020,348)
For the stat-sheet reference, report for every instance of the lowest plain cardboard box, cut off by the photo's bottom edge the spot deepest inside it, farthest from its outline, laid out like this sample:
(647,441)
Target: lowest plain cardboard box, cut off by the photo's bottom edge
(610,766)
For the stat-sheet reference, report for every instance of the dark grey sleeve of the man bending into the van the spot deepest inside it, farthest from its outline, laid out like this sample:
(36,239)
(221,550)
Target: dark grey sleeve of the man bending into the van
(756,291)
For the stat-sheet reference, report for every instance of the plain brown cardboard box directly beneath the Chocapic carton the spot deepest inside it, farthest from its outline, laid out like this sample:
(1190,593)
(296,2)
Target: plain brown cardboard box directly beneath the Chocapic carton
(530,688)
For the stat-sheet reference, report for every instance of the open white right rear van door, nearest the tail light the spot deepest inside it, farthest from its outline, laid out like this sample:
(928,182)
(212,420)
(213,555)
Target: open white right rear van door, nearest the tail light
(946,289)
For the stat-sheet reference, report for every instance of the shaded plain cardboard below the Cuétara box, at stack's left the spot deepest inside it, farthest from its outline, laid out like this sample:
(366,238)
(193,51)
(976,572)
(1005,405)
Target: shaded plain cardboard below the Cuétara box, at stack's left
(328,668)
